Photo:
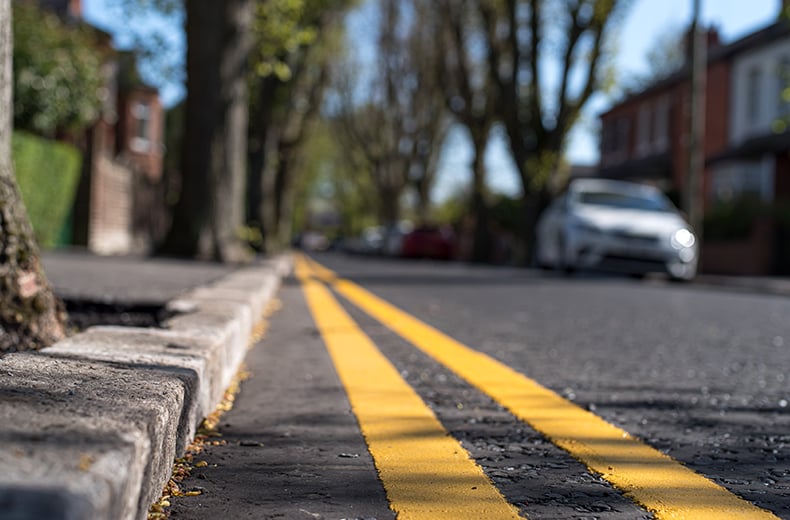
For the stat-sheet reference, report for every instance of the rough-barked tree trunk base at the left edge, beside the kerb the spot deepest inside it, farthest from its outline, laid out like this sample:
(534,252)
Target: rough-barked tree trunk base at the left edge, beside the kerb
(30,315)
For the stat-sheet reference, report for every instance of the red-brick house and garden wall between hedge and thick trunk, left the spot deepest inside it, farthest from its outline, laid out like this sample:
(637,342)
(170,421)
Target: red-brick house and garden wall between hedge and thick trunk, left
(120,206)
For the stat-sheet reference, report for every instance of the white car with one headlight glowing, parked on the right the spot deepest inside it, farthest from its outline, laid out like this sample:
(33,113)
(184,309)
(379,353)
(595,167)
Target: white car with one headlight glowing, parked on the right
(616,225)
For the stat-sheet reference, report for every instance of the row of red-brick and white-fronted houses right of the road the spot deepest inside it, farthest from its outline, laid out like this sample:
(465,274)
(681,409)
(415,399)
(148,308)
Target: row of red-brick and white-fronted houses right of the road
(643,138)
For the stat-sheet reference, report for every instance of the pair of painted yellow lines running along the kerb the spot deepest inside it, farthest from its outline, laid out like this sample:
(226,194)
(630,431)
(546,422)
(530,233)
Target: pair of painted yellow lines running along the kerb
(427,474)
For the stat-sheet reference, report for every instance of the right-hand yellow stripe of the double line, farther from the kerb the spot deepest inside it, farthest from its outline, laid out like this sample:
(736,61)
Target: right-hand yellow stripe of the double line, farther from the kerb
(648,476)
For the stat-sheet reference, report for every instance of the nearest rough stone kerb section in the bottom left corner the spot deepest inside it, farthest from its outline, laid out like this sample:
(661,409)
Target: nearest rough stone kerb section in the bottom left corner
(78,426)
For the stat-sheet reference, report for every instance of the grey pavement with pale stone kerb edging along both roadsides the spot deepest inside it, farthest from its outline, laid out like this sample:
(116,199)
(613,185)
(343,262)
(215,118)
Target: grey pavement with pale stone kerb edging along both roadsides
(90,426)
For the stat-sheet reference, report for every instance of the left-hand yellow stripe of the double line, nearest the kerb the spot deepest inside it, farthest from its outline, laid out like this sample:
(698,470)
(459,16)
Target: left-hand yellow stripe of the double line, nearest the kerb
(426,473)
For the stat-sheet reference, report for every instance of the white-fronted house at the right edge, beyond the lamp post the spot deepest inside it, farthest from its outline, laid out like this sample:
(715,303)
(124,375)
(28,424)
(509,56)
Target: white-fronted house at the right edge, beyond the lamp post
(756,163)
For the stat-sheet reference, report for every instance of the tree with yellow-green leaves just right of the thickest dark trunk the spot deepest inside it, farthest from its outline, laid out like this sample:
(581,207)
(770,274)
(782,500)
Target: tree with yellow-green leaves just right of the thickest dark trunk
(296,42)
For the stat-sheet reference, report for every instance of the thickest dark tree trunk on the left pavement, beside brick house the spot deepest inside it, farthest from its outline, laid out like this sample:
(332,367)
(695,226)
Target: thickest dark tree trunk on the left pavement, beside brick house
(211,210)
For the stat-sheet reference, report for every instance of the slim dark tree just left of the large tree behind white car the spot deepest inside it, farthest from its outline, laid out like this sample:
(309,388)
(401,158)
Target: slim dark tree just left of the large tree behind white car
(471,98)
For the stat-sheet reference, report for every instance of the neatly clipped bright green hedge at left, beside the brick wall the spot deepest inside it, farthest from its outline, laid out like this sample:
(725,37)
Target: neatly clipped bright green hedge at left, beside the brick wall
(47,173)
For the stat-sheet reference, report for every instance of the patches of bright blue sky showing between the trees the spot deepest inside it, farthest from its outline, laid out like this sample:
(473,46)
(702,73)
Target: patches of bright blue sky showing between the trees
(643,23)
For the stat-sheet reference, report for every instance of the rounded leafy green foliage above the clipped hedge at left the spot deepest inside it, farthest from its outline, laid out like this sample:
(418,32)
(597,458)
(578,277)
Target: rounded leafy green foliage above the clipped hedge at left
(57,73)
